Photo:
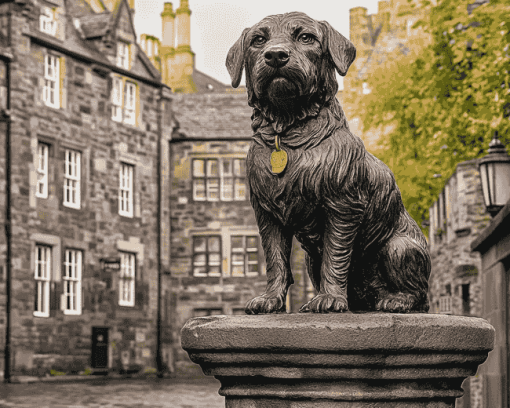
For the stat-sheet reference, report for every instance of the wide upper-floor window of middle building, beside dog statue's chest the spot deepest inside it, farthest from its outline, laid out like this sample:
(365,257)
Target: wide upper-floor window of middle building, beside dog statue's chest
(219,179)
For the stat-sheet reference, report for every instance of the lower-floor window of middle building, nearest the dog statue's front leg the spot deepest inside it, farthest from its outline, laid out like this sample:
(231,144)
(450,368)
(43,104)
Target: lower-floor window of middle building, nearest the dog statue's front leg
(245,256)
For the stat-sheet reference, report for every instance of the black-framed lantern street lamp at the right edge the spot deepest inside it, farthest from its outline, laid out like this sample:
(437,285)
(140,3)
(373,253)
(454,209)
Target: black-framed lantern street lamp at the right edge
(495,176)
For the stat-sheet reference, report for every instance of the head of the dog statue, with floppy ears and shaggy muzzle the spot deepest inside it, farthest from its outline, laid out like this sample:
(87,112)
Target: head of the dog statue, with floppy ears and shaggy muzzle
(290,61)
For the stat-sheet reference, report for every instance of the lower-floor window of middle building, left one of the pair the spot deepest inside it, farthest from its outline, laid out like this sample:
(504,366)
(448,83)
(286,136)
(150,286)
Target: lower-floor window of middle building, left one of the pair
(207,255)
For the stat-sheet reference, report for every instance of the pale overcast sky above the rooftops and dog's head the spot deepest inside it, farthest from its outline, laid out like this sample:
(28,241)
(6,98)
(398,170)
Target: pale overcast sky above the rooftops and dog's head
(216,25)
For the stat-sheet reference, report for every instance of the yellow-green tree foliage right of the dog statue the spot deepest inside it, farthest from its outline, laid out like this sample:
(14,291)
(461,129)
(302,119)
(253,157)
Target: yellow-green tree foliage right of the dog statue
(443,101)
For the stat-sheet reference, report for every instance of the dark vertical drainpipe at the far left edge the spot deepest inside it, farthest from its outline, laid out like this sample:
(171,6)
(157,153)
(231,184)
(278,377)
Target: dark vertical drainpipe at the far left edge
(6,117)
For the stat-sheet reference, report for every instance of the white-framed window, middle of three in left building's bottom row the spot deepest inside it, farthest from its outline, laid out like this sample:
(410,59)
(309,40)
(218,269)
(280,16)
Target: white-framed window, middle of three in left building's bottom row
(71,302)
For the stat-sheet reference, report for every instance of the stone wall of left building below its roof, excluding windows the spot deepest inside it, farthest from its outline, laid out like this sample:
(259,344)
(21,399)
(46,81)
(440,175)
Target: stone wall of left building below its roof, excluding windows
(63,342)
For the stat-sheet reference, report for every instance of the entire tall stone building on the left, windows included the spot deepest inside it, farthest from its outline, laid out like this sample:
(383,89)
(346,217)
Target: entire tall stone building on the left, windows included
(85,126)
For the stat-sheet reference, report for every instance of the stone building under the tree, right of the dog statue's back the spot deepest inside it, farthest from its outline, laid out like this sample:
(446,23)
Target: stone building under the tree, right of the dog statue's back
(456,218)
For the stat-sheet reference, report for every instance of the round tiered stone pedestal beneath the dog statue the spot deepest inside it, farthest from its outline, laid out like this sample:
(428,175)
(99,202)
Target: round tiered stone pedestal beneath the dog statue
(339,360)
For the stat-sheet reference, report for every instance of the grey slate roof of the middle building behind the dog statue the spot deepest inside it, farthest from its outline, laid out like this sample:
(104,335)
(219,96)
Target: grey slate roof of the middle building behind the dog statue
(212,116)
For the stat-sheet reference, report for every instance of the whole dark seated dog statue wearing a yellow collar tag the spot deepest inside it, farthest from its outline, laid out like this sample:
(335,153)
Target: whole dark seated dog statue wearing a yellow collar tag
(311,178)
